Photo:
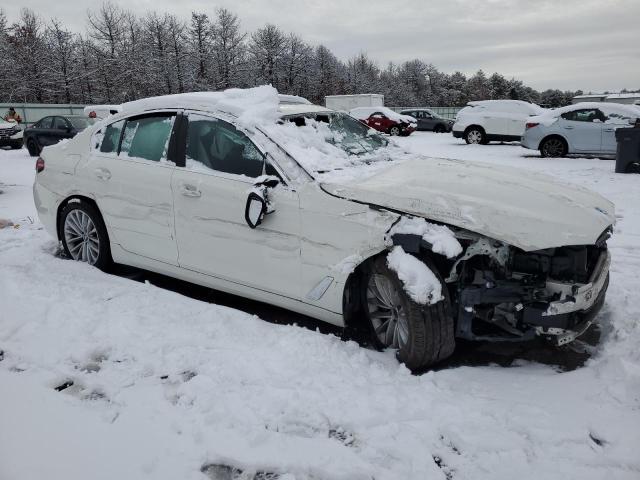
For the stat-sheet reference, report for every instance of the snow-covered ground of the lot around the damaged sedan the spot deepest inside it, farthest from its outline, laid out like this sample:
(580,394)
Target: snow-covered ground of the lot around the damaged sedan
(165,386)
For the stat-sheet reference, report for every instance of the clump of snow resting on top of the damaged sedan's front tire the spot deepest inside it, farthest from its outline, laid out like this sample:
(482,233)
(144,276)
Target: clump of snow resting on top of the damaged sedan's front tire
(419,281)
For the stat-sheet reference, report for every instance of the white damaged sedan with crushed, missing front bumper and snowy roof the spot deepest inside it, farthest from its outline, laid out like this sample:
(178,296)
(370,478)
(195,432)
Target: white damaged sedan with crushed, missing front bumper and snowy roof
(277,200)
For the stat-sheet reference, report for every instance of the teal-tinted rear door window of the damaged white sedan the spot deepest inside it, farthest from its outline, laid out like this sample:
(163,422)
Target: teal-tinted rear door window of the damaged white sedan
(147,137)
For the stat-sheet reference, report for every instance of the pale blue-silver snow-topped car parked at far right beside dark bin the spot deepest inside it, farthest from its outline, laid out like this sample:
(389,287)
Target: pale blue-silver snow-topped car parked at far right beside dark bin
(583,128)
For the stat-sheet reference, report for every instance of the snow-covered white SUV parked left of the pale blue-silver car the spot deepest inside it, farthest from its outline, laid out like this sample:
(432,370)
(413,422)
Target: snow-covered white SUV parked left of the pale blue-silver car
(494,120)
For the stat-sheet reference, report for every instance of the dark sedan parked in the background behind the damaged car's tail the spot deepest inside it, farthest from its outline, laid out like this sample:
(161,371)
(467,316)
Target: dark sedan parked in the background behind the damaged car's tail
(50,130)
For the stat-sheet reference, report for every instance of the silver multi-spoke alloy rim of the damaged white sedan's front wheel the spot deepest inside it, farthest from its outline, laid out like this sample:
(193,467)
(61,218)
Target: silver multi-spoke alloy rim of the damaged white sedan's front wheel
(386,311)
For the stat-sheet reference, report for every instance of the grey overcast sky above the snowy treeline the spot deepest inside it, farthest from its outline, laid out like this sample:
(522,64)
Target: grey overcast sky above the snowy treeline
(567,44)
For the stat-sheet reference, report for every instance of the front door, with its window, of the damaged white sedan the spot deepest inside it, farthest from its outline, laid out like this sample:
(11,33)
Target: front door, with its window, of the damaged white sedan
(210,195)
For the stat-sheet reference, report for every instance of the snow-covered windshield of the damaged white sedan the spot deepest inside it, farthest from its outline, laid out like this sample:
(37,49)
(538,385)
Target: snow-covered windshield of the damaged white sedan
(331,141)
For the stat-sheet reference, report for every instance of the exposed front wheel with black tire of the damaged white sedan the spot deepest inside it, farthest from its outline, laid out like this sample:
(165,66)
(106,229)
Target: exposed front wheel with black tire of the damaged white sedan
(421,334)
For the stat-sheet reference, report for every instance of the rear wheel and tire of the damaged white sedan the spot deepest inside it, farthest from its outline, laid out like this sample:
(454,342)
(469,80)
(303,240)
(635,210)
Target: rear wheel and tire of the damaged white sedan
(84,235)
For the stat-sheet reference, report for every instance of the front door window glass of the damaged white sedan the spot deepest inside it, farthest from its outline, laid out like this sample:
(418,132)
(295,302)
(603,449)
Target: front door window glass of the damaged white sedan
(218,145)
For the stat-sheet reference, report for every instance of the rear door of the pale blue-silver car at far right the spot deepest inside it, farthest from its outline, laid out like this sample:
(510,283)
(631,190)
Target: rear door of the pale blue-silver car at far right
(583,129)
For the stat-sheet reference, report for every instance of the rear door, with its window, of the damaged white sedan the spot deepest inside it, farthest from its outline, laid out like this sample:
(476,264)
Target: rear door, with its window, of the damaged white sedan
(129,171)
